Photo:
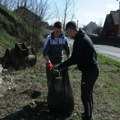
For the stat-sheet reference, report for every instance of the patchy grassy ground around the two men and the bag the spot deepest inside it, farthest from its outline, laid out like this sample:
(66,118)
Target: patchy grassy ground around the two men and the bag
(26,92)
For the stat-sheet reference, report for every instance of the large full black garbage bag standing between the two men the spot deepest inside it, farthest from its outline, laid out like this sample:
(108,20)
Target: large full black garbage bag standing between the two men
(60,98)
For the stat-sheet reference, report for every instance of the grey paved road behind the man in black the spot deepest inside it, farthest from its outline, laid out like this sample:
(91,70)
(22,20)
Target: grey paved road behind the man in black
(110,51)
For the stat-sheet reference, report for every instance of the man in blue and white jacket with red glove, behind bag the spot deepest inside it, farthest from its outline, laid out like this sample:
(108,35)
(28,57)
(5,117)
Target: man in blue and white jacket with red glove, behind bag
(54,46)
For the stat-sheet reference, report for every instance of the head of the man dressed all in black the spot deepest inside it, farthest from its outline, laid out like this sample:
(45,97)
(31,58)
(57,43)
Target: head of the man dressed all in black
(71,29)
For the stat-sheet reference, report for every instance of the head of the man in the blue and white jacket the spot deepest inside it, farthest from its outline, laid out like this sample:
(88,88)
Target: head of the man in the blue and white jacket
(57,29)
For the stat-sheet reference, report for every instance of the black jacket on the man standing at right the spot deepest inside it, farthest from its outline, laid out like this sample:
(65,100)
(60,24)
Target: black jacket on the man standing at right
(83,54)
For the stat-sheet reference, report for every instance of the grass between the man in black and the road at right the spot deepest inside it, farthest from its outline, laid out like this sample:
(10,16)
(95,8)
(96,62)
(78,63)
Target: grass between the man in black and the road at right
(107,88)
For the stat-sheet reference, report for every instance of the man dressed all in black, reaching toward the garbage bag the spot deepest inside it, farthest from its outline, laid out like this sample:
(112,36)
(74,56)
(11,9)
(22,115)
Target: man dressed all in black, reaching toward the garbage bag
(84,55)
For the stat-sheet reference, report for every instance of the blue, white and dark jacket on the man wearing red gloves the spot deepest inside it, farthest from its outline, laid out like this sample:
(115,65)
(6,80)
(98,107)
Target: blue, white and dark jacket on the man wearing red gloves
(53,48)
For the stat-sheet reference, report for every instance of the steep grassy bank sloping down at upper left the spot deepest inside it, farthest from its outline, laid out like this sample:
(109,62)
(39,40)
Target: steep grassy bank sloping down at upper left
(15,29)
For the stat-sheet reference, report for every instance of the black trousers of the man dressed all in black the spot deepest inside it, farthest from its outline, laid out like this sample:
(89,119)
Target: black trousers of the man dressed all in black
(89,78)
